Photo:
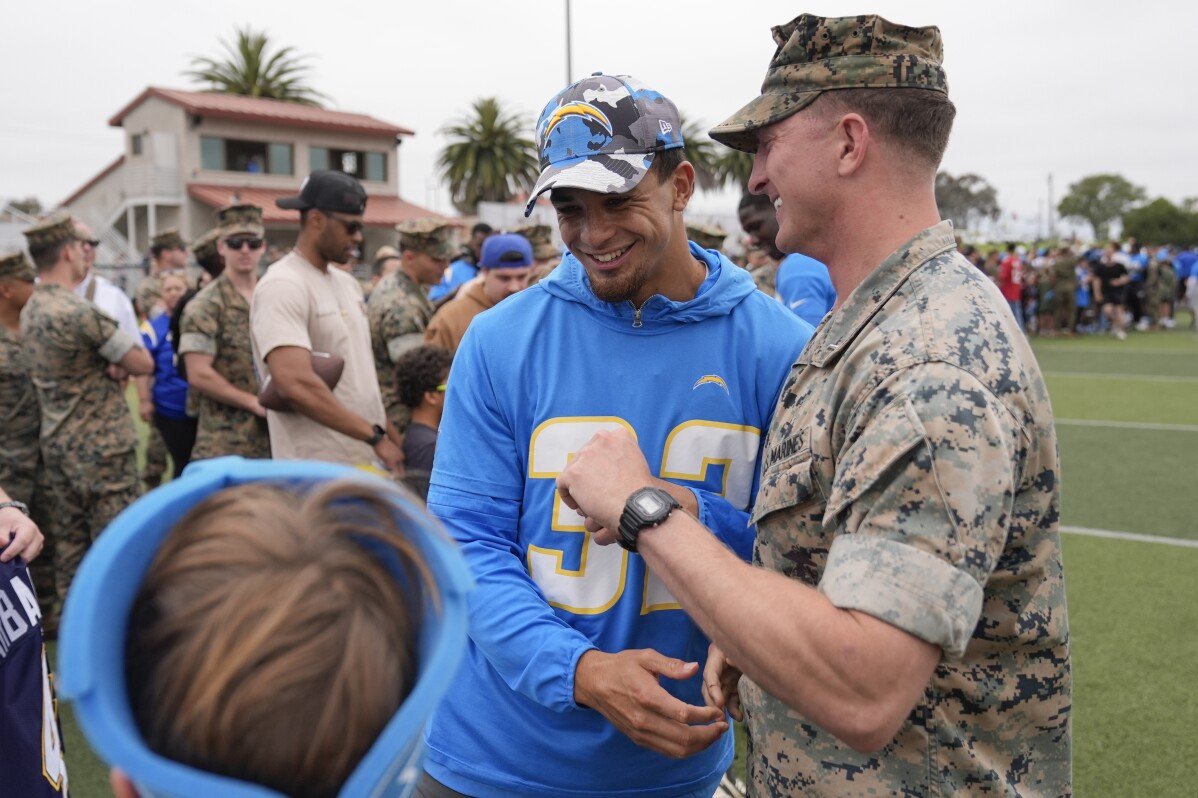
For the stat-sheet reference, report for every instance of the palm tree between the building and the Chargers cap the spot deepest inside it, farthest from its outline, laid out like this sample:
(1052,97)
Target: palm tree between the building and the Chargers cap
(491,156)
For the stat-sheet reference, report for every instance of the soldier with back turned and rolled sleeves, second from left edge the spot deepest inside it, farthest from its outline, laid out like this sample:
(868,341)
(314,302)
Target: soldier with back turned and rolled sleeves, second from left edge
(88,440)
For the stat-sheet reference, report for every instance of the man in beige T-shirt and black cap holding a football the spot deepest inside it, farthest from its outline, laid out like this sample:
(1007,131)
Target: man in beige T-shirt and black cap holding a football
(305,306)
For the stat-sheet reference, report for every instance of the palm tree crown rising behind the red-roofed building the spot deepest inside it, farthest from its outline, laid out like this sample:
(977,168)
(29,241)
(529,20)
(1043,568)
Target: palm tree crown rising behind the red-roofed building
(250,69)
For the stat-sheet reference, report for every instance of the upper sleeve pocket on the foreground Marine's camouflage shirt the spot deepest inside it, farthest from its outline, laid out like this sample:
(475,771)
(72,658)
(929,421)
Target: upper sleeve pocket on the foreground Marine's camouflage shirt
(890,437)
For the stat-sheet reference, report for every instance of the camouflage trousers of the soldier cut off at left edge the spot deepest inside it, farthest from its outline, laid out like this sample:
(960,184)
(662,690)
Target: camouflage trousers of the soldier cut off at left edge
(23,479)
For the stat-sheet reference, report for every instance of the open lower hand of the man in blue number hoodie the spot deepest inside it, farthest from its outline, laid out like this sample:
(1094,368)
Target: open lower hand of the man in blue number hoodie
(625,690)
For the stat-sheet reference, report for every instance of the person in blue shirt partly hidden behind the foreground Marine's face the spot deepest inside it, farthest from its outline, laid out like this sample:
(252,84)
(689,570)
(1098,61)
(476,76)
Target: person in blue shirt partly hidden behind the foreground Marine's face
(803,285)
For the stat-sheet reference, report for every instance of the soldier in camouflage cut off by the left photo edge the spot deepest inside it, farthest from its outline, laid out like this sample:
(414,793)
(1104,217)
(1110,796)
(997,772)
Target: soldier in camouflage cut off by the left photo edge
(21,457)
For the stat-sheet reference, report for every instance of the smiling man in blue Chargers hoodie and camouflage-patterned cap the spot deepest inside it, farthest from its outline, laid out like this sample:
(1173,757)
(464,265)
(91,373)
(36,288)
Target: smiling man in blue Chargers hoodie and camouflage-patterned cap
(582,678)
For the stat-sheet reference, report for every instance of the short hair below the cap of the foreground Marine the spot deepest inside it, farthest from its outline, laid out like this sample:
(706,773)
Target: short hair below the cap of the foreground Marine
(918,120)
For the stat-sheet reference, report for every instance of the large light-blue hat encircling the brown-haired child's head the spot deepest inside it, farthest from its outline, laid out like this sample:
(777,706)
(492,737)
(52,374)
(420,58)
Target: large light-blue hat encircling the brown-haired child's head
(96,619)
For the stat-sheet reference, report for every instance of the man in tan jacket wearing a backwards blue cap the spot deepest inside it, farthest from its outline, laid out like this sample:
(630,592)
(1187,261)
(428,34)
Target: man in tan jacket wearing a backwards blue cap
(505,269)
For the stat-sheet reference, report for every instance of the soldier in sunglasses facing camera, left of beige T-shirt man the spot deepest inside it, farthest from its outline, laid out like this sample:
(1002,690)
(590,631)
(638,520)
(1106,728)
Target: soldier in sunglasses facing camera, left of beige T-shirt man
(215,344)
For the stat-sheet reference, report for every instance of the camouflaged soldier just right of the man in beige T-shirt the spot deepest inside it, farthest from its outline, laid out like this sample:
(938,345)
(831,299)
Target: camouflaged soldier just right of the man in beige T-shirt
(400,309)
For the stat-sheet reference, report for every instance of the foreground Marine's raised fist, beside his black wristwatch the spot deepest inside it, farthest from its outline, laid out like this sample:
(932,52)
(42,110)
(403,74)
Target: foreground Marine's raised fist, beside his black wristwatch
(602,476)
